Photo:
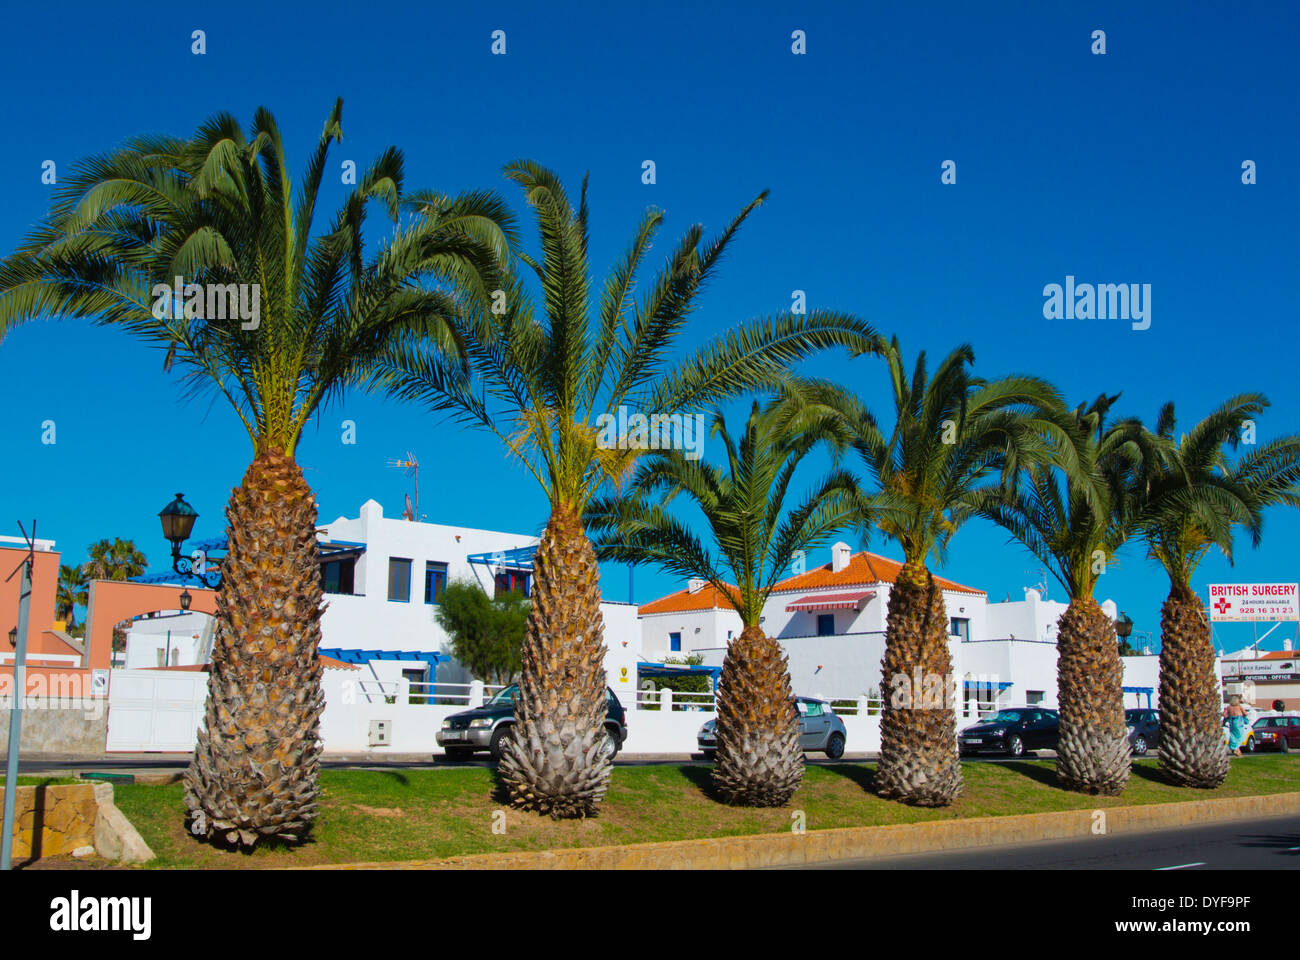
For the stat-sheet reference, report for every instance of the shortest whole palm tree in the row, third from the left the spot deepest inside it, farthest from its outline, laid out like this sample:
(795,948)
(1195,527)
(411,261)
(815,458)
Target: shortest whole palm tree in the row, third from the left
(760,762)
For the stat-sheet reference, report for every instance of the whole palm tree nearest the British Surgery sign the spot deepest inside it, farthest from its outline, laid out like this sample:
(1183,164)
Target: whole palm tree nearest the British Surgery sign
(1195,499)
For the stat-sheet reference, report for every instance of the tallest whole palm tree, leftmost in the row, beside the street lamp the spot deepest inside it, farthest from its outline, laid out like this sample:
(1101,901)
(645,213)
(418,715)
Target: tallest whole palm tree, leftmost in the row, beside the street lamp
(220,211)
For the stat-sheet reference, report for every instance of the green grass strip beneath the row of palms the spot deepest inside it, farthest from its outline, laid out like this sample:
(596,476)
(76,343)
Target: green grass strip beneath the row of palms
(389,815)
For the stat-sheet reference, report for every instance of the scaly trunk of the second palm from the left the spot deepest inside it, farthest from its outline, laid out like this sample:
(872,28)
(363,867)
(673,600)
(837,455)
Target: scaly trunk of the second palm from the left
(556,762)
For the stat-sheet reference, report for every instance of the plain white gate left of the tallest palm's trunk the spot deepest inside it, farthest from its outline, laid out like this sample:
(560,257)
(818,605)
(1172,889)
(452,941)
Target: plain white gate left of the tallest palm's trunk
(155,711)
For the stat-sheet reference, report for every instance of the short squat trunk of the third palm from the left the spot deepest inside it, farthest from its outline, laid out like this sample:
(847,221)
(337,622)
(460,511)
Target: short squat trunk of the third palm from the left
(760,762)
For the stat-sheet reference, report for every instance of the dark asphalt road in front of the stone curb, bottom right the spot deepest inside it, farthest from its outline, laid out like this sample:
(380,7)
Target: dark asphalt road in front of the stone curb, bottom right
(1259,845)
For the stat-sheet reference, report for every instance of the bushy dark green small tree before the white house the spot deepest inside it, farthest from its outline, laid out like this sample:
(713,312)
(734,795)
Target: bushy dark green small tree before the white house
(487,634)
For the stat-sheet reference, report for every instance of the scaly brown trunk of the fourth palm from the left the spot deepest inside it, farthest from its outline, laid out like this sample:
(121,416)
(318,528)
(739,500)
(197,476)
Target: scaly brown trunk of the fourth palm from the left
(918,729)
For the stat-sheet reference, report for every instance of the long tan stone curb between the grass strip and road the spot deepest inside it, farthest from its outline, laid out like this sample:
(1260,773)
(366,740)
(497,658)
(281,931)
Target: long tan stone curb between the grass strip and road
(853,844)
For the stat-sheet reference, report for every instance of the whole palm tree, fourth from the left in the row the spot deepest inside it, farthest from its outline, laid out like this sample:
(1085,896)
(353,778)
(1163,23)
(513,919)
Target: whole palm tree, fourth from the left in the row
(952,435)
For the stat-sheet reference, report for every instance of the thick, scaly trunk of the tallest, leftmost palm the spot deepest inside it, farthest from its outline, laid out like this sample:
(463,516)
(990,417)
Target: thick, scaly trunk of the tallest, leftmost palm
(257,767)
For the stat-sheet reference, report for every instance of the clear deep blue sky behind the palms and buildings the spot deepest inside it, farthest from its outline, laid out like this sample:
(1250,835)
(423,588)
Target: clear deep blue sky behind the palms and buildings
(1116,168)
